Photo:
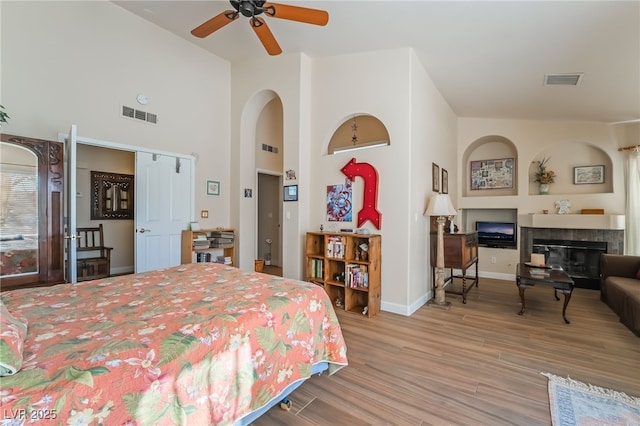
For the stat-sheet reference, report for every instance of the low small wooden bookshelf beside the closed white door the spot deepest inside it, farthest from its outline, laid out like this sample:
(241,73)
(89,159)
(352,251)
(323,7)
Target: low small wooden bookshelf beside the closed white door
(208,245)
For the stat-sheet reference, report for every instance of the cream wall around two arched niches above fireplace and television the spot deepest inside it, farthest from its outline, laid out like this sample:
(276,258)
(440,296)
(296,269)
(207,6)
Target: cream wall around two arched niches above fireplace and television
(569,144)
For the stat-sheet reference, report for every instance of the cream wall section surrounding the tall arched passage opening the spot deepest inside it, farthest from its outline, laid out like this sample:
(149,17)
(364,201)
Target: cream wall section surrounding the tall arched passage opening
(254,84)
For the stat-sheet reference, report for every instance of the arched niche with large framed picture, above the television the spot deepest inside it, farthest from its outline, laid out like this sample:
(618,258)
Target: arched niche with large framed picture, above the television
(490,148)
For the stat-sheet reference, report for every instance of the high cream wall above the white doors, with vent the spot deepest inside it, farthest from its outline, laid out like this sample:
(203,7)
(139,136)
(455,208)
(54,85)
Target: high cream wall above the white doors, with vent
(71,62)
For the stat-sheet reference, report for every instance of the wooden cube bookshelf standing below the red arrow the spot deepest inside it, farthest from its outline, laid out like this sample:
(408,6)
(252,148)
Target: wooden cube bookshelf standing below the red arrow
(348,266)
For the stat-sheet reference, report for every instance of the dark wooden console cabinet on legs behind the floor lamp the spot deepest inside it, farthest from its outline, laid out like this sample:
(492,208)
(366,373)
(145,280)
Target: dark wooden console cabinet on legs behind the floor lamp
(460,252)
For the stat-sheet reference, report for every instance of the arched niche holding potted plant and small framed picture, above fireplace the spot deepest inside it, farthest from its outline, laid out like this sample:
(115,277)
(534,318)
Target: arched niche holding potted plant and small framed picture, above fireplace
(563,159)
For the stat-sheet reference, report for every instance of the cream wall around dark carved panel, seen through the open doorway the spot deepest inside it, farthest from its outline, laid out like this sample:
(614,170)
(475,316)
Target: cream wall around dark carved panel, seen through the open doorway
(118,234)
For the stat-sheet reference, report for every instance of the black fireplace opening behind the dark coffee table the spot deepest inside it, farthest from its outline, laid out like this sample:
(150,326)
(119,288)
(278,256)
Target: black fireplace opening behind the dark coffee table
(580,259)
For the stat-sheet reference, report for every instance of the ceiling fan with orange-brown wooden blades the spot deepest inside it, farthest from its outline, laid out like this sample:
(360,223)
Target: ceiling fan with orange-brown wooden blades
(251,9)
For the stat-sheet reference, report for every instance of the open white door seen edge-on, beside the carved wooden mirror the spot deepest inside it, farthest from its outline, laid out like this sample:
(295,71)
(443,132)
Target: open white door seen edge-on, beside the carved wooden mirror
(71,271)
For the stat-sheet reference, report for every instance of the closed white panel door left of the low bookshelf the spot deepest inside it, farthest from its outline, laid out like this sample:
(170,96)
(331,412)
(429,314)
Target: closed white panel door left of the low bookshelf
(163,209)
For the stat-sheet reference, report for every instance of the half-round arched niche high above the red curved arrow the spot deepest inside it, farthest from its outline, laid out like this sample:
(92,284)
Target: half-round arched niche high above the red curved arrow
(358,131)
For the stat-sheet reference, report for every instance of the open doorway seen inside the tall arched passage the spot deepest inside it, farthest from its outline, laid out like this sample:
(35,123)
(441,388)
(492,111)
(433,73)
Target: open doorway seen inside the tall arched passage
(269,215)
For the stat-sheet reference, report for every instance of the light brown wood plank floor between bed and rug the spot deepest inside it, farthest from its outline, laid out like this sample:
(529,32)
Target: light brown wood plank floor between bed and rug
(475,364)
